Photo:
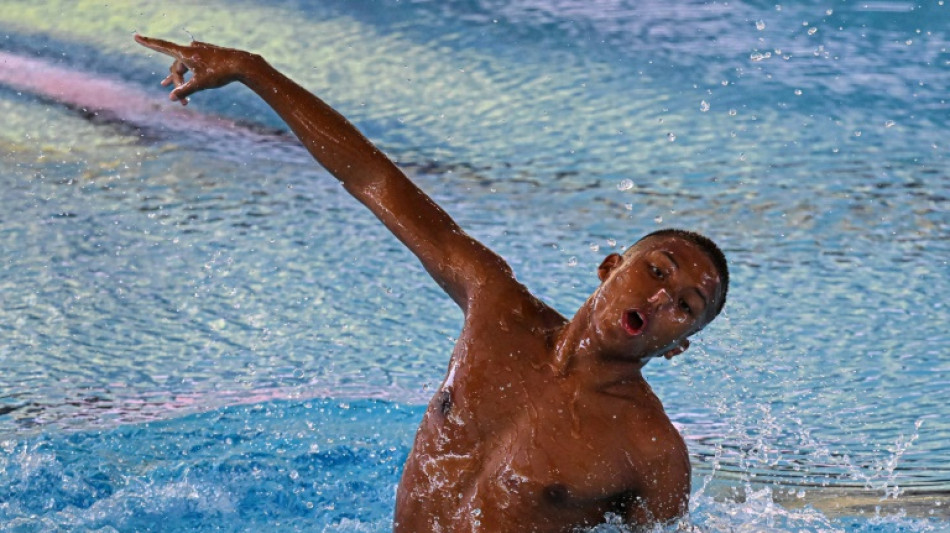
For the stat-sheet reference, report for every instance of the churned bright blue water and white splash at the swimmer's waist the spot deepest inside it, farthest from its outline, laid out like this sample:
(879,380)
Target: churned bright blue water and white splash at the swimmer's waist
(314,465)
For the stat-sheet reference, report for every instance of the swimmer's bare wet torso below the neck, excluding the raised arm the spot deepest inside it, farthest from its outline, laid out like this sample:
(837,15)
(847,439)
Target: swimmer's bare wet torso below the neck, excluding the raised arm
(509,443)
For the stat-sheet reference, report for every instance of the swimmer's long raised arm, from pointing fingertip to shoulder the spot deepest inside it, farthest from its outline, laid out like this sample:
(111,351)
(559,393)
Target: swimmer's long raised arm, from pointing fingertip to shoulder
(455,260)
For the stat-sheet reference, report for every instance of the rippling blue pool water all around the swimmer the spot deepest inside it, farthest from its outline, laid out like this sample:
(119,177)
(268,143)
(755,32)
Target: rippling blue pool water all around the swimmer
(200,334)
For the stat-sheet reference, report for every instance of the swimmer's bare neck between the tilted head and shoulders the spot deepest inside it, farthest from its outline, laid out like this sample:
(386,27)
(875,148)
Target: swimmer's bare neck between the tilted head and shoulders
(577,352)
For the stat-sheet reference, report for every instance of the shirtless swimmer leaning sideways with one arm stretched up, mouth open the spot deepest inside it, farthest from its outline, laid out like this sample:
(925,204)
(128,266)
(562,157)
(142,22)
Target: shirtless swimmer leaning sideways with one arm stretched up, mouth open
(543,423)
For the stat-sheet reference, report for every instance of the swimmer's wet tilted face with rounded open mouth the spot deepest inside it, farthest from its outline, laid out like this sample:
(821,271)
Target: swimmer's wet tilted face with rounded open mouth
(661,291)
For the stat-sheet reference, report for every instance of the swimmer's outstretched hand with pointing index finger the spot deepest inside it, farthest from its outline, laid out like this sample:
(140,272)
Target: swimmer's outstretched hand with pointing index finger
(211,66)
